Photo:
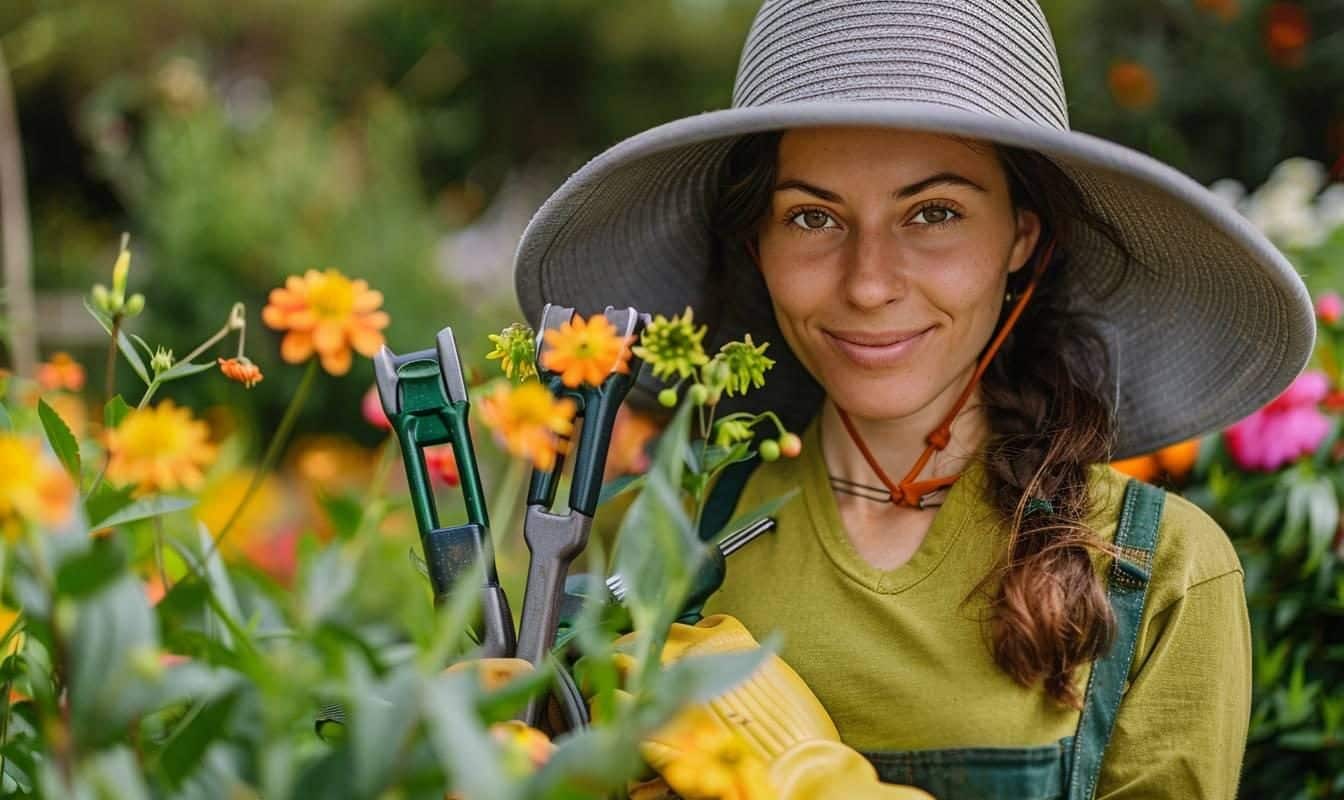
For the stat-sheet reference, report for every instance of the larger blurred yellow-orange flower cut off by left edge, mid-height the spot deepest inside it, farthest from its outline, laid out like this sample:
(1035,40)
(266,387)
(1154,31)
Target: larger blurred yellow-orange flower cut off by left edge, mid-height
(33,487)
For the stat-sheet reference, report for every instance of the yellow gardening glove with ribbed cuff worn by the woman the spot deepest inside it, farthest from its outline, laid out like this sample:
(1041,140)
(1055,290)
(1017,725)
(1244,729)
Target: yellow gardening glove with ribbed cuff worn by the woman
(771,727)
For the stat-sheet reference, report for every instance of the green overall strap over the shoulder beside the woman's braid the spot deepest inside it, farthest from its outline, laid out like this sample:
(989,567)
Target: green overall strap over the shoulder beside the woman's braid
(1136,536)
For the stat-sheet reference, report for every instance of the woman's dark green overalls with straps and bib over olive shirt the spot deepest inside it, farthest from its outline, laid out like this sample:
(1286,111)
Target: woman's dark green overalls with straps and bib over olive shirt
(1069,768)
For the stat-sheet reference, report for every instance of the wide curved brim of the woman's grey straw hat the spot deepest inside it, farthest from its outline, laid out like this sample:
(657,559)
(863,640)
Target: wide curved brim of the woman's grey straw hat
(1209,326)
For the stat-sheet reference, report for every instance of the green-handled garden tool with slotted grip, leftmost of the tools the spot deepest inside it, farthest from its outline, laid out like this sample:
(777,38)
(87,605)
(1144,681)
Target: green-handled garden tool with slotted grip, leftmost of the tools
(425,399)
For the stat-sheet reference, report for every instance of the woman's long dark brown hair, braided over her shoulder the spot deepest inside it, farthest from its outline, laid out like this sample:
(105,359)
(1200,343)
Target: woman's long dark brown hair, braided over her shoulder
(1050,420)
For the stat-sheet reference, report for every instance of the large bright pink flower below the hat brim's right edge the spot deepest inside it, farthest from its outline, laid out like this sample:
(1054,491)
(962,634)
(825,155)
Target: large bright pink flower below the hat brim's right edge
(1287,430)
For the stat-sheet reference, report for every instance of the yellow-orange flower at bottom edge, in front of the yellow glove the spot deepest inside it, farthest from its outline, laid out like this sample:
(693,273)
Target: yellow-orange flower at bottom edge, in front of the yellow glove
(712,760)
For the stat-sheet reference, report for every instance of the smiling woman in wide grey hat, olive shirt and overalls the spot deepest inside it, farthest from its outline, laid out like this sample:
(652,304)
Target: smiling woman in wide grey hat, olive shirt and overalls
(982,309)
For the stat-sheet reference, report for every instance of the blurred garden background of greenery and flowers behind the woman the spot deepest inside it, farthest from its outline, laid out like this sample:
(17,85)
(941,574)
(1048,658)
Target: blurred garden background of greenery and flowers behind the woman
(407,143)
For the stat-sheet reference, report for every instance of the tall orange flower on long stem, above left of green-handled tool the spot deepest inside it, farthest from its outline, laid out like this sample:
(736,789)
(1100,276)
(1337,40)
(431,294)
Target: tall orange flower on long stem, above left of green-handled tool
(329,314)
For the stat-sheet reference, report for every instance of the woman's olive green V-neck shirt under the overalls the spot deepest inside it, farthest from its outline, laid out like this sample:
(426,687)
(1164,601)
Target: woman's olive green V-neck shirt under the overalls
(901,658)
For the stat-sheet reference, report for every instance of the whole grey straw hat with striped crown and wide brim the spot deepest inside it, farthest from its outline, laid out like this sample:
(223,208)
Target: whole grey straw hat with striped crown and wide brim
(1212,325)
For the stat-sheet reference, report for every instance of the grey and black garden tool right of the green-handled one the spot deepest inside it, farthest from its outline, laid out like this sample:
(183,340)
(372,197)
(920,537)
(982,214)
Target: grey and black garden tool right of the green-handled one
(556,540)
